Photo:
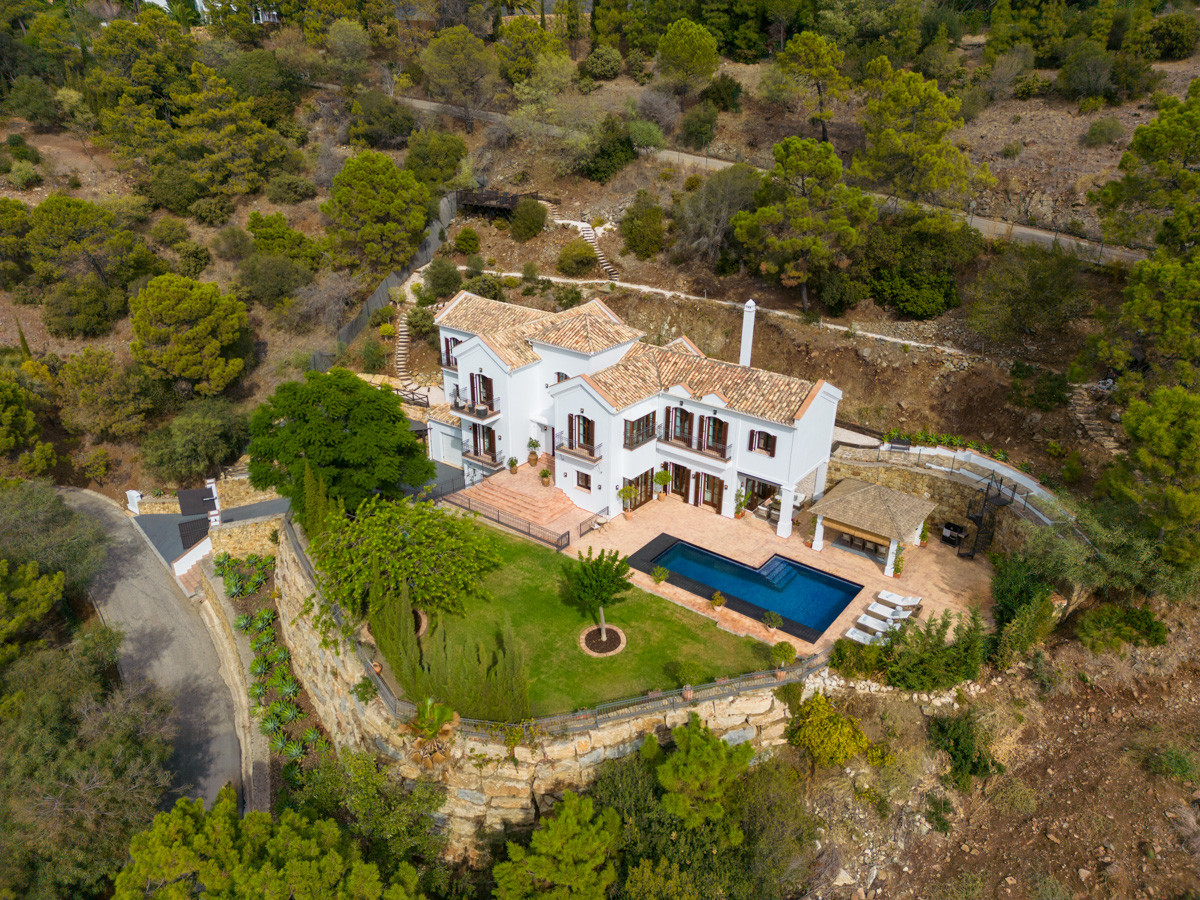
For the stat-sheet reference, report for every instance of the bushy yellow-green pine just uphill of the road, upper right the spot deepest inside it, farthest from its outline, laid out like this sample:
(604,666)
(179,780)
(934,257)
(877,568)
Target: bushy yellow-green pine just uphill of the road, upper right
(908,121)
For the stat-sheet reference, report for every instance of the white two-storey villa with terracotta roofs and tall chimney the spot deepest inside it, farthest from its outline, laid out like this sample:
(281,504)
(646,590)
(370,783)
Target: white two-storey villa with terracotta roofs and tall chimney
(614,410)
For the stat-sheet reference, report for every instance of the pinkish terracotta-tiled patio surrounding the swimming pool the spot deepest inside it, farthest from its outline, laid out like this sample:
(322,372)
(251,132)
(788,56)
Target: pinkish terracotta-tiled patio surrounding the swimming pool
(934,573)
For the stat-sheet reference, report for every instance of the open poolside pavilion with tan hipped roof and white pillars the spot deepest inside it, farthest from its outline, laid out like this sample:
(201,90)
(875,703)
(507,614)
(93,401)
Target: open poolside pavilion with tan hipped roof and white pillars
(871,519)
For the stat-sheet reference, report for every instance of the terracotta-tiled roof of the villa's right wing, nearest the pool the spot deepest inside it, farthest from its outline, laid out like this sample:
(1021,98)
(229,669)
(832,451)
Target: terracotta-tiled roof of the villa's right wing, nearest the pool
(646,371)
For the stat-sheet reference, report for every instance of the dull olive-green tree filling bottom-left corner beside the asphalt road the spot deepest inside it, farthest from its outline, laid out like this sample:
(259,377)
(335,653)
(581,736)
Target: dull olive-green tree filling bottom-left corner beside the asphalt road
(82,769)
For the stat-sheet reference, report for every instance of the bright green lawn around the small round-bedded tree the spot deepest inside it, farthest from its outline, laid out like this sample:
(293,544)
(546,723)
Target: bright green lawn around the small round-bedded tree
(562,679)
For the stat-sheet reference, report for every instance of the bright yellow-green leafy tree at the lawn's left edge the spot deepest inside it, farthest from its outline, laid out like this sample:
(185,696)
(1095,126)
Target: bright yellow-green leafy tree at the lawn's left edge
(388,547)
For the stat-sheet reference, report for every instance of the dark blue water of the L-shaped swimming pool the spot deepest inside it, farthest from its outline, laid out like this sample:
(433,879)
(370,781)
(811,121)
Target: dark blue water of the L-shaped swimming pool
(796,592)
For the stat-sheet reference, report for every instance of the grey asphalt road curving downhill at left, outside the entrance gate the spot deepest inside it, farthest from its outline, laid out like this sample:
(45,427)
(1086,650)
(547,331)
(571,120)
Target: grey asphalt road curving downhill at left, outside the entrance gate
(166,643)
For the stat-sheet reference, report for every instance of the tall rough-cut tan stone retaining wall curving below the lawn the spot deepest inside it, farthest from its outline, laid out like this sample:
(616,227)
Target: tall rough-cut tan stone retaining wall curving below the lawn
(488,785)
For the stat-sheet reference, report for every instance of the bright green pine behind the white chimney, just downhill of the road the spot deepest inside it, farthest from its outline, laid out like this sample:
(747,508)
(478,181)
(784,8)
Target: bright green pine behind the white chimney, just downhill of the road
(815,224)
